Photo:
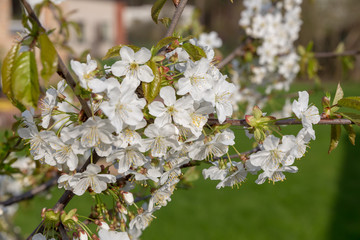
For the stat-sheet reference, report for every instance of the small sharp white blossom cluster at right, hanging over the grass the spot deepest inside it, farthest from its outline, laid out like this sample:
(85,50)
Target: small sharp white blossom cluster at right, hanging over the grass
(273,158)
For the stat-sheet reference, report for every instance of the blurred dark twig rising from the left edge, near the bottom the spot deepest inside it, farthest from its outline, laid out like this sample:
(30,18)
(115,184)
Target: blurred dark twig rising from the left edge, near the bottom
(32,193)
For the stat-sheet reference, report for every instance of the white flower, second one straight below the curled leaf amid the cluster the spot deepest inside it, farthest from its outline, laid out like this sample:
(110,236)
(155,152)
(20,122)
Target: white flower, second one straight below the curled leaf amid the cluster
(159,139)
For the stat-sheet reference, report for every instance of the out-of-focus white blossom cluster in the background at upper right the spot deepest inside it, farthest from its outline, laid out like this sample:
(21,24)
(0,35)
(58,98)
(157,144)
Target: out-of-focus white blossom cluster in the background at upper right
(273,28)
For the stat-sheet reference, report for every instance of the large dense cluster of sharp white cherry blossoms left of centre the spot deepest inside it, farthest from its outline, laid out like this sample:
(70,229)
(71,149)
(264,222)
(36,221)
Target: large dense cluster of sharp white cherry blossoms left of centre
(147,140)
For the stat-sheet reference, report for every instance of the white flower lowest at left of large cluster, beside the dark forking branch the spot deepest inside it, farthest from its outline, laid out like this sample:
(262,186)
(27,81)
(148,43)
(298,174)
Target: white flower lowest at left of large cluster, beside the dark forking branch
(90,178)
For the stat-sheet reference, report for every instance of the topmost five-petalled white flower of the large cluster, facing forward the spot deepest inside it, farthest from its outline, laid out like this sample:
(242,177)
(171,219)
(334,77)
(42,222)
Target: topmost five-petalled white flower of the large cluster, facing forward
(132,66)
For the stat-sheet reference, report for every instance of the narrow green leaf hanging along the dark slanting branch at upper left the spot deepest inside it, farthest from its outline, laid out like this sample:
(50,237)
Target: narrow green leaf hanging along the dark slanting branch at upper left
(49,57)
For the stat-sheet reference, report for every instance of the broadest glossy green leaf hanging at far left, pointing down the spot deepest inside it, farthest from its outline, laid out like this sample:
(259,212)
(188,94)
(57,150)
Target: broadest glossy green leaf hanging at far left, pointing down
(25,83)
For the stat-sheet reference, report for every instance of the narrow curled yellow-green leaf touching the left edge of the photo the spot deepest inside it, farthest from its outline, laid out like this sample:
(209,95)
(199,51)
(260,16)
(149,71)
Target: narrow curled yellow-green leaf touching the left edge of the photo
(7,69)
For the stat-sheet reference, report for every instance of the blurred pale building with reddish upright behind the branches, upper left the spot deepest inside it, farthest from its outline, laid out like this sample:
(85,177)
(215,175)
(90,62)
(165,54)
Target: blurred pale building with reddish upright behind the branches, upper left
(103,23)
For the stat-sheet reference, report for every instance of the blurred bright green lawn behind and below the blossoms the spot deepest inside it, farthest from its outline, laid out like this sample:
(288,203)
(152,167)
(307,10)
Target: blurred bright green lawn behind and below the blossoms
(318,202)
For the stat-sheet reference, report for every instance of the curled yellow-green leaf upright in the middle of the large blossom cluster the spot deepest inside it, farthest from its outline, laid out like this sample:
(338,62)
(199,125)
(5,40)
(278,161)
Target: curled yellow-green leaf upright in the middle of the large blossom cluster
(152,89)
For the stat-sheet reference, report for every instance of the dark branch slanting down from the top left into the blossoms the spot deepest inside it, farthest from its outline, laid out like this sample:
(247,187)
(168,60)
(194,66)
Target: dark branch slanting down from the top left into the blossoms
(62,69)
